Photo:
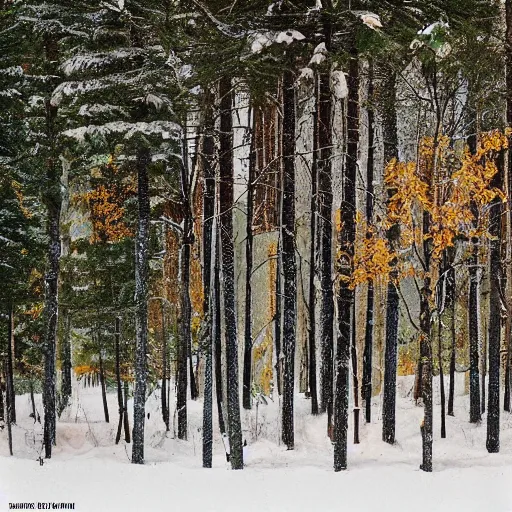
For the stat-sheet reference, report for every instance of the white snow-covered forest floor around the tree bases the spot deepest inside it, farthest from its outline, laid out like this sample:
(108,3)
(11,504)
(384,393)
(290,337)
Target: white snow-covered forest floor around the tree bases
(89,469)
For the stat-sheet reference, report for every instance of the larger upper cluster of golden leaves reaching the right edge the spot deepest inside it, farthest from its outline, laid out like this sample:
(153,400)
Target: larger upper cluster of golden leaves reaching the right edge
(449,192)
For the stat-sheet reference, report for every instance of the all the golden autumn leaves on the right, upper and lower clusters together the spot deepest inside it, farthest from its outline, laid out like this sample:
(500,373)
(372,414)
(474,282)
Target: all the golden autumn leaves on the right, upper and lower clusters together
(454,188)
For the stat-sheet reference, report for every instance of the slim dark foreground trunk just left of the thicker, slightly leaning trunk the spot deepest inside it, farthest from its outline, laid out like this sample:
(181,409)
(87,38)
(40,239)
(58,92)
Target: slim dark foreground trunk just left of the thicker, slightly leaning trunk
(208,164)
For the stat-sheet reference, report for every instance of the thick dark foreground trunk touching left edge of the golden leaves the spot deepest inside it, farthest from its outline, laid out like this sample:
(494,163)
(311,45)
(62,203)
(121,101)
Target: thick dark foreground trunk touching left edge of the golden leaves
(345,269)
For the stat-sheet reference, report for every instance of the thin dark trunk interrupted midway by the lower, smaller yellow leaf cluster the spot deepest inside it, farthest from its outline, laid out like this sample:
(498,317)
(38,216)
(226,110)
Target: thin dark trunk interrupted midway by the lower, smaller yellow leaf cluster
(368,338)
